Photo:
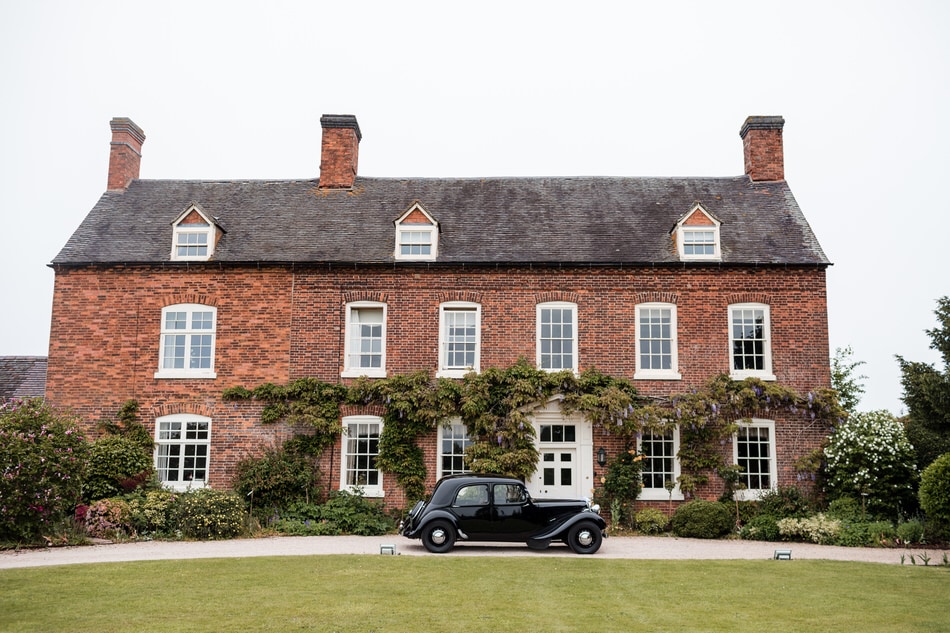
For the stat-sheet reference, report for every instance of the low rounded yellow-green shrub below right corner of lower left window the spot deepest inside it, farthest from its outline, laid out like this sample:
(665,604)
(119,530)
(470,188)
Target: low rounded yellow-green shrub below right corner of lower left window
(210,514)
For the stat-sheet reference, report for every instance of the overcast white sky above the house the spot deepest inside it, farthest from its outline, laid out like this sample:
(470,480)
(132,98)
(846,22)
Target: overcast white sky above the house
(235,90)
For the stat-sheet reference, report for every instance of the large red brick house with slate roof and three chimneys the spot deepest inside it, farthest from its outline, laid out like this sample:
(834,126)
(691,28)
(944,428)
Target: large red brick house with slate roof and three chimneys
(171,291)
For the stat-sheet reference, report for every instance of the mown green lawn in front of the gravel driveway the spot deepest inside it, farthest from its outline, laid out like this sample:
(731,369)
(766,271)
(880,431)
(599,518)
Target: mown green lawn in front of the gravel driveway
(433,593)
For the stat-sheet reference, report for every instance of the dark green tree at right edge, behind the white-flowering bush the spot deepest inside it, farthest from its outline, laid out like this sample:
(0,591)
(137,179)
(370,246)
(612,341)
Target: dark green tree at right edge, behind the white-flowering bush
(927,394)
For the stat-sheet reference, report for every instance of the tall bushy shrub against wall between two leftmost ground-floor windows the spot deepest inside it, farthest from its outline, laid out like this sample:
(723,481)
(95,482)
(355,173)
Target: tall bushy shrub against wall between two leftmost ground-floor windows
(280,476)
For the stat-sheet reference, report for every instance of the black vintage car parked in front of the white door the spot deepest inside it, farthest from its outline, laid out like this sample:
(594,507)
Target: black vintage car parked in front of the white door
(492,508)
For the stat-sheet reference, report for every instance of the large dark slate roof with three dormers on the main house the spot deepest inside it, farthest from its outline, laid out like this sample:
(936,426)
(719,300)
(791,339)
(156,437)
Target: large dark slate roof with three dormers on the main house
(597,221)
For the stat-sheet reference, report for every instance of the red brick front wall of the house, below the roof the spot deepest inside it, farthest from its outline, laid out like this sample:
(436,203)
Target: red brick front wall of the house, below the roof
(277,324)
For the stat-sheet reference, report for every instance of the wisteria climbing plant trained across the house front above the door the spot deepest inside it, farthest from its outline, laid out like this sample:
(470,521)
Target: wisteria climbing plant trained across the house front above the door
(495,404)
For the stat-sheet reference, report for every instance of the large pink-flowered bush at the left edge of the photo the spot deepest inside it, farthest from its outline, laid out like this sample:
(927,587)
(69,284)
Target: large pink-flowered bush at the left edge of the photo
(42,458)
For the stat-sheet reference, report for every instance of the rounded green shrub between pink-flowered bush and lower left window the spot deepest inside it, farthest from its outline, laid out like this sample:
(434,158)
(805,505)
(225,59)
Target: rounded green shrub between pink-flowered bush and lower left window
(117,464)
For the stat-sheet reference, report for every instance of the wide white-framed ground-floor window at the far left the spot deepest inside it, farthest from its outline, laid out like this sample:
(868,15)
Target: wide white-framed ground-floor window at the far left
(165,428)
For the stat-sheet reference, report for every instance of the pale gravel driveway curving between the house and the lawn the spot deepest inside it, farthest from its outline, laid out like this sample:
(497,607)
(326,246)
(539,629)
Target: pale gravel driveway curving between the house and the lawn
(639,547)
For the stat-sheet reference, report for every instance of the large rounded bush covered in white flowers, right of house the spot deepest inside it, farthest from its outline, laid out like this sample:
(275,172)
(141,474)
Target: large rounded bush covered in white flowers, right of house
(869,457)
